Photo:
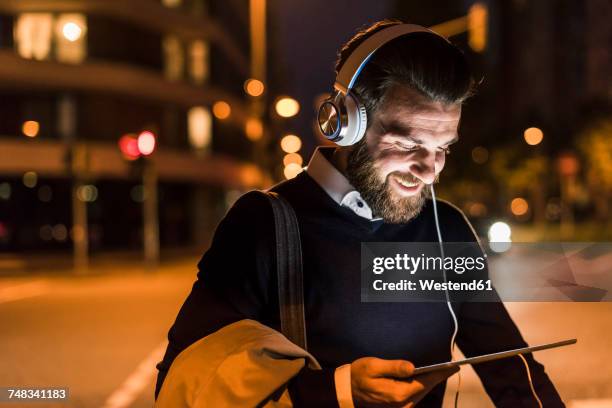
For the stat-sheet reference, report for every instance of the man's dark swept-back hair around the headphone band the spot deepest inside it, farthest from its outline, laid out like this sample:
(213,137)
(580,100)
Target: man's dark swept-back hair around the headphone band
(425,62)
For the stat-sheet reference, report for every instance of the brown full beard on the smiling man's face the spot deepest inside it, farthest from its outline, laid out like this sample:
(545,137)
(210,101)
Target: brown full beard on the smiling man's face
(380,196)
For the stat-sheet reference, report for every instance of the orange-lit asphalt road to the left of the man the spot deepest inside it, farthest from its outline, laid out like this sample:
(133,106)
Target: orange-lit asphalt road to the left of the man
(100,336)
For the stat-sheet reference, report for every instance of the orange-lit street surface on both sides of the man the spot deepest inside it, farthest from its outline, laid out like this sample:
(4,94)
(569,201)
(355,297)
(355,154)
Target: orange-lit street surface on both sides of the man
(100,335)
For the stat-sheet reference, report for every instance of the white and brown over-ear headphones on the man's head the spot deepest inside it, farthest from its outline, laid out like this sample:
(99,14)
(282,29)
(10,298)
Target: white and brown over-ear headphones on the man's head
(343,118)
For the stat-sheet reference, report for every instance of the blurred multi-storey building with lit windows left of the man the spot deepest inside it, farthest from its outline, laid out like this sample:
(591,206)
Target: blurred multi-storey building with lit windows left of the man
(77,75)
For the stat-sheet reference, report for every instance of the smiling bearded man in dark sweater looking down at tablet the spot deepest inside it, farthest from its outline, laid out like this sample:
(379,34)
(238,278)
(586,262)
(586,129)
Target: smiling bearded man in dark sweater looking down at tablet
(377,190)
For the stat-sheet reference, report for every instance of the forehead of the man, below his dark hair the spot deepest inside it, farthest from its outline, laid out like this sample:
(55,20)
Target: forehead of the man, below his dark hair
(402,104)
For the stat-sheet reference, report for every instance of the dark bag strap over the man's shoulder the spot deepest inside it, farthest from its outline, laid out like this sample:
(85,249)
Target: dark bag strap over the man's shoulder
(289,270)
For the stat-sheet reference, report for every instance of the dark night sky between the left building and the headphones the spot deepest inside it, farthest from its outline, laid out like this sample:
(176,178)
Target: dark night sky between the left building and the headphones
(308,35)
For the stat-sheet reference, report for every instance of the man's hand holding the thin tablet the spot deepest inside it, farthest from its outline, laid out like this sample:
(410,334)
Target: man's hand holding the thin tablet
(376,382)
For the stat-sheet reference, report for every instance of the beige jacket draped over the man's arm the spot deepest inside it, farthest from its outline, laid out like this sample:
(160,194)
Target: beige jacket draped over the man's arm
(244,364)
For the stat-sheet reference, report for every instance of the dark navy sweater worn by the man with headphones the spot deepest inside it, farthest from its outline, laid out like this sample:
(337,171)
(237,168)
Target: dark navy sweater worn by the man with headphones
(236,280)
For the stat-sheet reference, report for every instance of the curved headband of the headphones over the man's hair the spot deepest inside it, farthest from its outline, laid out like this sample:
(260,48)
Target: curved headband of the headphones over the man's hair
(359,57)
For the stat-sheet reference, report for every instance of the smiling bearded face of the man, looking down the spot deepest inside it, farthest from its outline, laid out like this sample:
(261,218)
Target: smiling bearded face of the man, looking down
(403,151)
